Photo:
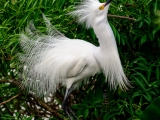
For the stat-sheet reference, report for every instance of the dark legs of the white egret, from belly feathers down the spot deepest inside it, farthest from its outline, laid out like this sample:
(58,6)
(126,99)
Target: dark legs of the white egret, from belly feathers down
(65,105)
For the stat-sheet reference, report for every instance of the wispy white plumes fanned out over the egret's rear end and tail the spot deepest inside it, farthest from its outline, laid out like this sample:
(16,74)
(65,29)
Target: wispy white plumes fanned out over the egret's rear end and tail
(37,58)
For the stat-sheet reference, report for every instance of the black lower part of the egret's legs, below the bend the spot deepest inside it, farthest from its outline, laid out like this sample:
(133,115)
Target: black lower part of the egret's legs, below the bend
(68,111)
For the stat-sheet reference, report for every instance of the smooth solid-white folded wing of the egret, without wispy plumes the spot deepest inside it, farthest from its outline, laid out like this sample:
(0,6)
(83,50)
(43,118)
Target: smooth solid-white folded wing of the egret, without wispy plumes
(63,57)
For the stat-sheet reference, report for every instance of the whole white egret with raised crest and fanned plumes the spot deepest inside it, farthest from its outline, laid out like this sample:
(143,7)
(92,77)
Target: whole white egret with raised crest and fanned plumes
(53,58)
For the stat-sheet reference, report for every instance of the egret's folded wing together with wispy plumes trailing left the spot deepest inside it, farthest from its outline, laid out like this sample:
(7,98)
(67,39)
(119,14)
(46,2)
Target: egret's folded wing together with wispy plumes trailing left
(51,61)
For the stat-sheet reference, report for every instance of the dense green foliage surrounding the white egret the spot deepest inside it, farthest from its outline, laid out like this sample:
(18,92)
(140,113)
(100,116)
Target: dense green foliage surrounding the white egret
(138,44)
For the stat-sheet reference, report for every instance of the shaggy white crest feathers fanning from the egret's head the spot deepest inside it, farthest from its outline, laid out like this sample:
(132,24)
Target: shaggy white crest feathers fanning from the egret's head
(86,12)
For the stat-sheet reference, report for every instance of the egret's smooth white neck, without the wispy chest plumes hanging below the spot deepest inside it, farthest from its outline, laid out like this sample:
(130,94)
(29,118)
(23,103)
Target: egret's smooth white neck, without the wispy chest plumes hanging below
(107,53)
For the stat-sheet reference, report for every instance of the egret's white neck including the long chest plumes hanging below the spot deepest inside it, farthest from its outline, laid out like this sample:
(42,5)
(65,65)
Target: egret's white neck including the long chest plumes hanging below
(107,56)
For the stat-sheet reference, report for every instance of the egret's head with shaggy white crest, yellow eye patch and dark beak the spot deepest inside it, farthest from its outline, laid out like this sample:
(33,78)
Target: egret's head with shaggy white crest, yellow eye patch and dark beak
(91,11)
